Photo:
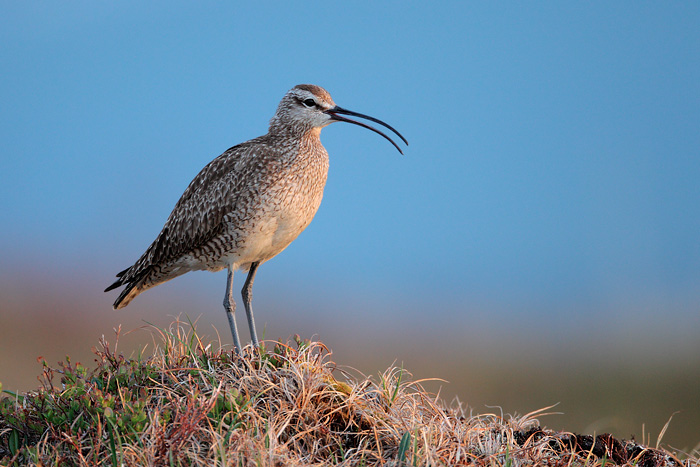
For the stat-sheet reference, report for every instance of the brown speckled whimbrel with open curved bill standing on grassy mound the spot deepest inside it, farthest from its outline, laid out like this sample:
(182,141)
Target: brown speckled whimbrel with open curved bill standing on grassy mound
(248,204)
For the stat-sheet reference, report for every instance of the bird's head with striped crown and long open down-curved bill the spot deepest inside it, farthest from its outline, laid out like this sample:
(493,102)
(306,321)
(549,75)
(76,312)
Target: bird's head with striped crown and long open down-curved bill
(306,107)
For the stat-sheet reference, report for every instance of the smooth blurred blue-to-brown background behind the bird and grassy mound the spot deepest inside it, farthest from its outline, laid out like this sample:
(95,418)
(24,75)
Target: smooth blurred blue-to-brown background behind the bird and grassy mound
(537,244)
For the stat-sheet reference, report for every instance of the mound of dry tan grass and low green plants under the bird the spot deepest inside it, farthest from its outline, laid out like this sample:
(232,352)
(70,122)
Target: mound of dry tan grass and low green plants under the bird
(190,405)
